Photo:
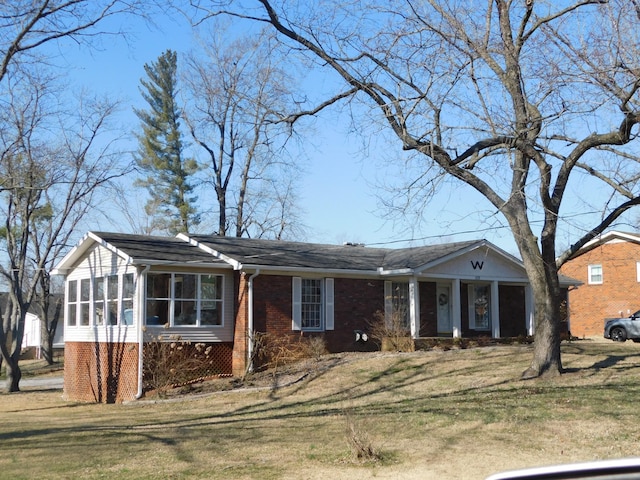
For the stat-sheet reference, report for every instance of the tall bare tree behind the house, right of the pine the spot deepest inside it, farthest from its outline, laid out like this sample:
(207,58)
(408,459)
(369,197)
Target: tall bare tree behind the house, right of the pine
(238,95)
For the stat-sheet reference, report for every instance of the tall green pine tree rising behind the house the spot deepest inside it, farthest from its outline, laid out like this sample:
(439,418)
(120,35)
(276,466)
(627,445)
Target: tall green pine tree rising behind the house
(161,153)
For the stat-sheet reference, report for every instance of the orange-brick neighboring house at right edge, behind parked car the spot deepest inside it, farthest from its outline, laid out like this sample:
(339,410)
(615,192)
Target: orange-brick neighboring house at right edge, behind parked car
(608,268)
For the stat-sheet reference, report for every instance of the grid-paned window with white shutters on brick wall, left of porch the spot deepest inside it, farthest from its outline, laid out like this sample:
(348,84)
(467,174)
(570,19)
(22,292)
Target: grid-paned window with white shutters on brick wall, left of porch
(312,304)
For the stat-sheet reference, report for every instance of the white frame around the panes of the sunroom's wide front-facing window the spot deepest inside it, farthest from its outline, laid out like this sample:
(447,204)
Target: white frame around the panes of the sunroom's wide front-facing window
(198,299)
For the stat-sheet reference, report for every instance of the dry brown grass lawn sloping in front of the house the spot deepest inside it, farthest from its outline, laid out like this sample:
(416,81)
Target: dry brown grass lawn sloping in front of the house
(456,414)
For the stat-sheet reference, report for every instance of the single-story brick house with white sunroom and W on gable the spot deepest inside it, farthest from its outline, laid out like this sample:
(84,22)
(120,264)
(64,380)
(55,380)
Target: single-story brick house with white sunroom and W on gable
(123,290)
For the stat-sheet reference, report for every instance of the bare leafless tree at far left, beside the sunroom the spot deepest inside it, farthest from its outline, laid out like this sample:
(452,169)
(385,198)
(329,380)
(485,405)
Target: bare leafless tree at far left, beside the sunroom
(53,161)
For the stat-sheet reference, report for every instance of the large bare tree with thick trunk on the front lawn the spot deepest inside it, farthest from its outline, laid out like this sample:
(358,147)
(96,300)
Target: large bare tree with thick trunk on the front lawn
(520,100)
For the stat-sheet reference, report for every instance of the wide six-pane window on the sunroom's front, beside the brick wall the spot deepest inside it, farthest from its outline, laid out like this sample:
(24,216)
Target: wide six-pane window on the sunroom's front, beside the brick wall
(184,299)
